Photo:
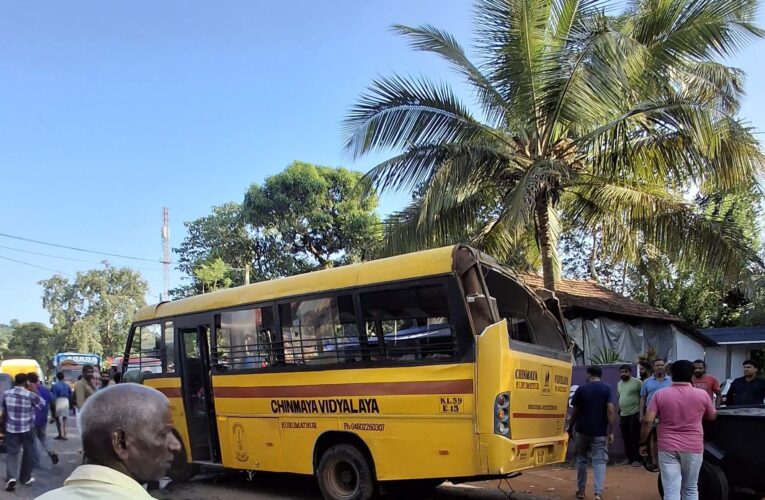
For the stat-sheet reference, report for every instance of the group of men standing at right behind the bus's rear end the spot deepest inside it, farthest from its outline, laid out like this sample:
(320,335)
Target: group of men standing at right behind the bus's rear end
(660,415)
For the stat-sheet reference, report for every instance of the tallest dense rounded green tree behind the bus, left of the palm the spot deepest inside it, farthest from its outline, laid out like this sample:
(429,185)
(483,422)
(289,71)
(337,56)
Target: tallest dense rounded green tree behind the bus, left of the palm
(320,214)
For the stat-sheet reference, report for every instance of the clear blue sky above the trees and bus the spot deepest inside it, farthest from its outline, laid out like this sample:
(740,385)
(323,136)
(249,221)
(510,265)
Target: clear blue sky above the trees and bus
(111,110)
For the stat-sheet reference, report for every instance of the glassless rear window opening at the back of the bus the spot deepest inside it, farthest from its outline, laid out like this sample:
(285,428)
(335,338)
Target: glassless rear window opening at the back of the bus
(527,319)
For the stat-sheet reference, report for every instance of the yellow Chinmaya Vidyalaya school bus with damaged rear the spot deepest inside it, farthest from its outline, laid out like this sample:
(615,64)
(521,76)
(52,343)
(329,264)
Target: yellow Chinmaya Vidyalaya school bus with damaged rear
(429,366)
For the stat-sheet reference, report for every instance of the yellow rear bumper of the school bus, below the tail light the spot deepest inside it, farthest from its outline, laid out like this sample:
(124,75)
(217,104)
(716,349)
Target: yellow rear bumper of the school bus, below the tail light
(500,455)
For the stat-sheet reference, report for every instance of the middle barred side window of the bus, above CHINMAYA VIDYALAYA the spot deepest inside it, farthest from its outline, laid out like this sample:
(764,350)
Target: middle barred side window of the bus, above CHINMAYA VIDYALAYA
(320,331)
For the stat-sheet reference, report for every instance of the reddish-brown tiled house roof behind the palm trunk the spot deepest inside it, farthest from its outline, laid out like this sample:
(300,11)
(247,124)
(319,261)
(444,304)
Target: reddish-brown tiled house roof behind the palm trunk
(585,294)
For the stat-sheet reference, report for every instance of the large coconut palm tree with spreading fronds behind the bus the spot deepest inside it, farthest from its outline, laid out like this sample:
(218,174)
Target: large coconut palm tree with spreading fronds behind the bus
(610,122)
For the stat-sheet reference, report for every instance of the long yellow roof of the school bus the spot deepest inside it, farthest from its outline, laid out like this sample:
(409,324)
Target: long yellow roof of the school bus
(413,265)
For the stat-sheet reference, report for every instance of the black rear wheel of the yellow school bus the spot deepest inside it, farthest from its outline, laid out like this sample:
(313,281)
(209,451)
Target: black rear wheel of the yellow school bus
(344,473)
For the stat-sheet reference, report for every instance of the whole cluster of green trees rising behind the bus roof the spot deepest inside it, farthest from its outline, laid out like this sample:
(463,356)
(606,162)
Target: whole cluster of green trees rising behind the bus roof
(304,218)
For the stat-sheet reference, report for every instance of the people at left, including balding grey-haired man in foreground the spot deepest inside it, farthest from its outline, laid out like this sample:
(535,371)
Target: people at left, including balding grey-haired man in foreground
(126,430)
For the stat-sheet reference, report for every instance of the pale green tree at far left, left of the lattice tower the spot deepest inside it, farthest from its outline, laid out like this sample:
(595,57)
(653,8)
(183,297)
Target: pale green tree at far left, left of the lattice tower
(93,313)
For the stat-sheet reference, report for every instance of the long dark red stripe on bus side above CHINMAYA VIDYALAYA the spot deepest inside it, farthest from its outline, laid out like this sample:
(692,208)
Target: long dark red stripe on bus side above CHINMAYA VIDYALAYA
(329,390)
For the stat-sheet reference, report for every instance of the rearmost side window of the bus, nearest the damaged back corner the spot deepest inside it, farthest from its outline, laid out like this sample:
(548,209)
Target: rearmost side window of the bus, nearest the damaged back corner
(408,323)
